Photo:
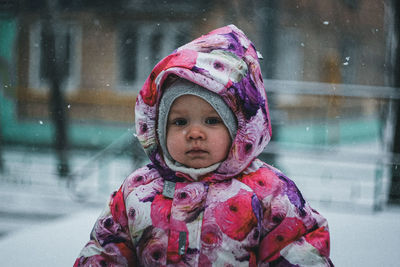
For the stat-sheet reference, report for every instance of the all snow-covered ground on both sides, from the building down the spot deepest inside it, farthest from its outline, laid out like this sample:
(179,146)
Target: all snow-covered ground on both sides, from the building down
(43,224)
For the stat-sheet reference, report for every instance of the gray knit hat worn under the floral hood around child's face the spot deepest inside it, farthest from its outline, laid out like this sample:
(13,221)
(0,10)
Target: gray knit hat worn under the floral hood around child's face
(182,87)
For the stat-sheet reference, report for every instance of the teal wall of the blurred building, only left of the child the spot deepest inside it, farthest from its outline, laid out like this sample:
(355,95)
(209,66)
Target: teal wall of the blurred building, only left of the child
(39,132)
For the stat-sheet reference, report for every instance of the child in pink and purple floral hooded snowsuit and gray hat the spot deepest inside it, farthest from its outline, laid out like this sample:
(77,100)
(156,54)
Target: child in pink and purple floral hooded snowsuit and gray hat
(205,199)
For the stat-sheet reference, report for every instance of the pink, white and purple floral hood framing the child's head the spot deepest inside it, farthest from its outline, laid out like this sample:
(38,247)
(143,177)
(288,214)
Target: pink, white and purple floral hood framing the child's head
(223,61)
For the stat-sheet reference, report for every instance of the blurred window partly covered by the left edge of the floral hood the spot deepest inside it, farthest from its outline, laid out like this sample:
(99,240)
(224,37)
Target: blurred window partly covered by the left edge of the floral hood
(142,45)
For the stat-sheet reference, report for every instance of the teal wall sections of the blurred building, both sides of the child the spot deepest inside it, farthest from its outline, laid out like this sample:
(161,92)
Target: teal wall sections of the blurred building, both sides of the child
(92,134)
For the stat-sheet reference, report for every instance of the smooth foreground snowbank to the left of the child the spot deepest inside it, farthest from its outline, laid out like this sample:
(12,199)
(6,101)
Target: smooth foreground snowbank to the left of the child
(55,243)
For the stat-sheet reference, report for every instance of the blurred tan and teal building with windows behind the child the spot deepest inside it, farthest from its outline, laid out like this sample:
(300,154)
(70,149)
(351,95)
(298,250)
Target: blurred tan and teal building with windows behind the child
(321,61)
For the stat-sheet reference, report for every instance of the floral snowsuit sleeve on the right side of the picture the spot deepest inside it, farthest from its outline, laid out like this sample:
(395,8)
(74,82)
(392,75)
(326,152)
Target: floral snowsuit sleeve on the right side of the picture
(292,233)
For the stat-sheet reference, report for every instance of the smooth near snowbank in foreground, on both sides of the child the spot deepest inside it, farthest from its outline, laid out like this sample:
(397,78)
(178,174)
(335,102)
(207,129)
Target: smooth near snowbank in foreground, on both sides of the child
(357,239)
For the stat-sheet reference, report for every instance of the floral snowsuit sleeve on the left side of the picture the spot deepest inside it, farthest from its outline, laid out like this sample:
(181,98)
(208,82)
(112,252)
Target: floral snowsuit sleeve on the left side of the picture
(110,243)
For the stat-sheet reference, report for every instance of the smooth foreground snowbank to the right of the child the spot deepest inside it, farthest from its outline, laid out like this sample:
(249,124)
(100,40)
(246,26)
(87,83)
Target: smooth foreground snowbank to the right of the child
(365,239)
